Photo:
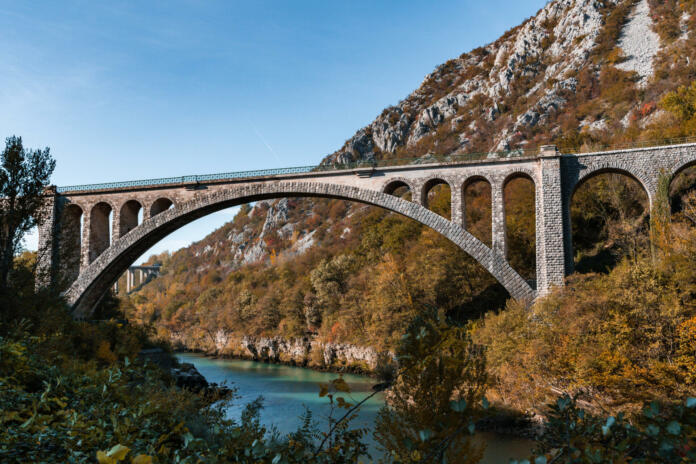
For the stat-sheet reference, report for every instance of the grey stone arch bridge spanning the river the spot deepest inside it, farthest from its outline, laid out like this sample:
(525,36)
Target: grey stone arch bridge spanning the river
(93,233)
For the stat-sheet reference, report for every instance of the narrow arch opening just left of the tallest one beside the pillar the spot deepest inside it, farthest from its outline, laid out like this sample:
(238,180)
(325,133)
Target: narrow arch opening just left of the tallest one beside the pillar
(478,213)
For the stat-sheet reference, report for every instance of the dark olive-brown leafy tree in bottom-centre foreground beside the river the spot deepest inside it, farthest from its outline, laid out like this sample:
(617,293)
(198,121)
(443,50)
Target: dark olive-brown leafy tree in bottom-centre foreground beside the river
(442,377)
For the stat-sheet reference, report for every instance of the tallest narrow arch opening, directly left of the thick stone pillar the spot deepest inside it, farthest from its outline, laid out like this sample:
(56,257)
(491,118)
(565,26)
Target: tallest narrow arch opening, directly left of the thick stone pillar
(519,200)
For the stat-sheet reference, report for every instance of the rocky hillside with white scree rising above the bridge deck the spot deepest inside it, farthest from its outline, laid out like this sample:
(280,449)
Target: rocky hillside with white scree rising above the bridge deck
(577,67)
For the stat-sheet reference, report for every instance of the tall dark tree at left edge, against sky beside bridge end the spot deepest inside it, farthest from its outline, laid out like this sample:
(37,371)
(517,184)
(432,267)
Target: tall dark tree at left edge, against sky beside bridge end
(23,176)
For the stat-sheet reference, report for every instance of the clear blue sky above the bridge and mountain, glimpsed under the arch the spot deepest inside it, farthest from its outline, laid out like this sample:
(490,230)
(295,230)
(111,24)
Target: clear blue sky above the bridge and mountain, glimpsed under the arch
(130,90)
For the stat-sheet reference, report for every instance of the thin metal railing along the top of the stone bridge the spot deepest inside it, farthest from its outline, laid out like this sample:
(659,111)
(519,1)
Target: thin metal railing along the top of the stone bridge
(334,166)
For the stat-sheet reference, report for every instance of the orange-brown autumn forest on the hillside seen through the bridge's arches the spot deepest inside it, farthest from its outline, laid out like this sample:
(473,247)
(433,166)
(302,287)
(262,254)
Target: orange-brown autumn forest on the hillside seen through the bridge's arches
(370,270)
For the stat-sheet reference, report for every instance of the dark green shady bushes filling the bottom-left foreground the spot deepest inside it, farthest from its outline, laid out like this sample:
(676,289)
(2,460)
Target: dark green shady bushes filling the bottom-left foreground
(55,407)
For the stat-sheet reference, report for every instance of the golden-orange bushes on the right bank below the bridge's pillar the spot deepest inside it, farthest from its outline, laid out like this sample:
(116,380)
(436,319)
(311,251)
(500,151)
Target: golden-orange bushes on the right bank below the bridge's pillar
(623,338)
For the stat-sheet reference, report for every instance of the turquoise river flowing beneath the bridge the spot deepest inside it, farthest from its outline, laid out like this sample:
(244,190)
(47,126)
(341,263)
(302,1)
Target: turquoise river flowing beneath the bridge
(287,390)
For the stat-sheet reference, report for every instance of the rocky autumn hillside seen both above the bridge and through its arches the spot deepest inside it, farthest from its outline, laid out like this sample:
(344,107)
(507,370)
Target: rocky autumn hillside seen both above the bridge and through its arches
(581,74)
